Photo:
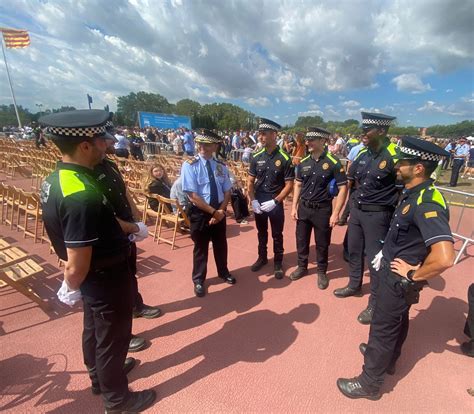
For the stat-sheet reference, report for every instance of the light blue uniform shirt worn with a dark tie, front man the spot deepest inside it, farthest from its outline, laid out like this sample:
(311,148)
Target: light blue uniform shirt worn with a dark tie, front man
(196,179)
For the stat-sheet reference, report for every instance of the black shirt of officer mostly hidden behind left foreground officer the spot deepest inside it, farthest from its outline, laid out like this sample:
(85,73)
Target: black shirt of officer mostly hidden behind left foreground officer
(112,185)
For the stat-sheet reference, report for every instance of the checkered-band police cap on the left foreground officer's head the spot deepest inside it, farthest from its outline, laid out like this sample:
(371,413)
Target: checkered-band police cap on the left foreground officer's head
(83,123)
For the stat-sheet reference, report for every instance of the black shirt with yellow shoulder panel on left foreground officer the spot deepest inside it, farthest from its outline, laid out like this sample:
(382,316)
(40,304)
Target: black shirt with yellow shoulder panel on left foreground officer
(77,214)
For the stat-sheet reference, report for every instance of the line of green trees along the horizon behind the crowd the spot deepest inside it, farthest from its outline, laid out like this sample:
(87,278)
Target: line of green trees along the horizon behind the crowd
(224,117)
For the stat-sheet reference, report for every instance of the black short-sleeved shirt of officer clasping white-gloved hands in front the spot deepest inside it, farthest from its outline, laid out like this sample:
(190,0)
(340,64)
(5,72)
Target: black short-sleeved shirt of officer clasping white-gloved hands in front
(271,171)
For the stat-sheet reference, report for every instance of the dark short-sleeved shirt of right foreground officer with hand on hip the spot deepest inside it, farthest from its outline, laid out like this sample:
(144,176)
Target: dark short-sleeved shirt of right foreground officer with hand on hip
(420,220)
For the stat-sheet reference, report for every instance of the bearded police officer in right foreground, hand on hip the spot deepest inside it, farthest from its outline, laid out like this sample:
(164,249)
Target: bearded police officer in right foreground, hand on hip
(418,247)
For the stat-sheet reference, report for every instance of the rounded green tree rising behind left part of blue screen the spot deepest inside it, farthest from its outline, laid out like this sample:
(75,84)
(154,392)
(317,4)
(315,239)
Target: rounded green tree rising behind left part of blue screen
(129,106)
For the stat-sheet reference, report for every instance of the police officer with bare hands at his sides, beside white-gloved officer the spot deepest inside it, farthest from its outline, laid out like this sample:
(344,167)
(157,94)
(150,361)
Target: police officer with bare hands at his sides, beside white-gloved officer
(312,202)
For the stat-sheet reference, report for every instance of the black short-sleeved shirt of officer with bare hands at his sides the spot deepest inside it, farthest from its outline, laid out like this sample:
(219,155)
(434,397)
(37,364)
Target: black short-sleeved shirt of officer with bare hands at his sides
(316,174)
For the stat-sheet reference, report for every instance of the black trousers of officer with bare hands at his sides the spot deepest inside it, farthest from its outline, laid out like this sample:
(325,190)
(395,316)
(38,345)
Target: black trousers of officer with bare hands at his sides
(317,219)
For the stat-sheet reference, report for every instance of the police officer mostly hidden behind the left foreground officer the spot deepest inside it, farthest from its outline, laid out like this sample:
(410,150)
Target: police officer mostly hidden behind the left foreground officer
(113,186)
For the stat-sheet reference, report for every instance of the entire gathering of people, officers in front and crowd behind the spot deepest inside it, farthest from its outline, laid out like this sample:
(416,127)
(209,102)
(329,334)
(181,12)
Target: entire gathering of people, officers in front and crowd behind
(398,222)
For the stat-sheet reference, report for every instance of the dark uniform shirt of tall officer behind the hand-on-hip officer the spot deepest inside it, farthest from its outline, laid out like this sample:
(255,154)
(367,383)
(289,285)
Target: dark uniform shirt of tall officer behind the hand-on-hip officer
(375,176)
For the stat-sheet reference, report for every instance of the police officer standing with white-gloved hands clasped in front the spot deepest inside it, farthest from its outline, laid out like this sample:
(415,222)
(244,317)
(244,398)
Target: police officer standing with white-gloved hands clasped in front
(271,176)
